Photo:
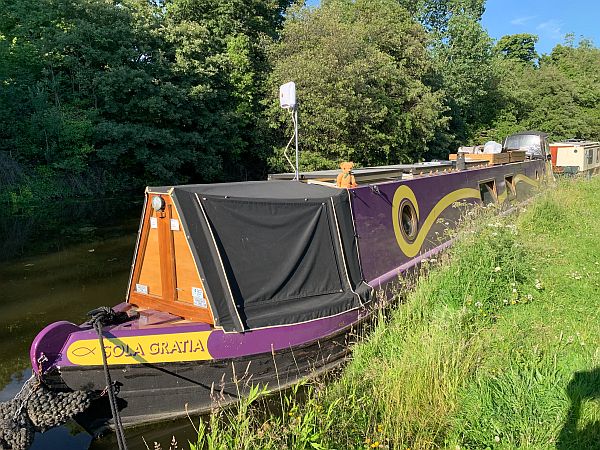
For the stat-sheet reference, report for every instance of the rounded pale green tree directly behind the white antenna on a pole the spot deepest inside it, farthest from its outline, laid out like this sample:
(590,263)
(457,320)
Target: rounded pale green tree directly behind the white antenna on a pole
(358,67)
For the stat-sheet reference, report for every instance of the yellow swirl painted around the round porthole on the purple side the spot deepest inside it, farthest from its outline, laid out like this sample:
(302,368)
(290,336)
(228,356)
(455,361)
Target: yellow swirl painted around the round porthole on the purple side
(405,193)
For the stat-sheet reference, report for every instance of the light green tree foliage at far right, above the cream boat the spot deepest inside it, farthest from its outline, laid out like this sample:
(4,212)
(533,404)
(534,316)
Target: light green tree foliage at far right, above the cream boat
(561,96)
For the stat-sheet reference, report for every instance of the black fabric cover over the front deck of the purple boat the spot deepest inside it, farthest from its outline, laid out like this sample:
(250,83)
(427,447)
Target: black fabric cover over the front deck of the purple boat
(273,252)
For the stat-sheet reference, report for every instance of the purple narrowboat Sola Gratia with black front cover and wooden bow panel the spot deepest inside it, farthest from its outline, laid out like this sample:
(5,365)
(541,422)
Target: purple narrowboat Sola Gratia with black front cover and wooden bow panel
(261,283)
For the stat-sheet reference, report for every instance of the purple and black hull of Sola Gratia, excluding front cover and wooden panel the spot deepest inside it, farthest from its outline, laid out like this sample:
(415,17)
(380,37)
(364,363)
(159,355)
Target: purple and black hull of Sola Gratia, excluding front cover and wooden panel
(165,367)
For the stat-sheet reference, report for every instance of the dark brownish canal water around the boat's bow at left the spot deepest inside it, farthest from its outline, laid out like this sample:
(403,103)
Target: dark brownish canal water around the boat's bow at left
(57,263)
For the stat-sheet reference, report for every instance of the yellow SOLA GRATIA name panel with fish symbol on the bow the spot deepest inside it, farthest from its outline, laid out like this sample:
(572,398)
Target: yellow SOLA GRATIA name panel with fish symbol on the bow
(154,348)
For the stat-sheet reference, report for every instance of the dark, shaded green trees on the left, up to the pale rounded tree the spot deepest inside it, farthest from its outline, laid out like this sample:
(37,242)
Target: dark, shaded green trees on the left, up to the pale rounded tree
(98,94)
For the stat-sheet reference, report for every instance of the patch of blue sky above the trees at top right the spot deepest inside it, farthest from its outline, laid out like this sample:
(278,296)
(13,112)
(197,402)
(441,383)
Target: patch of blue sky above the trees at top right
(549,19)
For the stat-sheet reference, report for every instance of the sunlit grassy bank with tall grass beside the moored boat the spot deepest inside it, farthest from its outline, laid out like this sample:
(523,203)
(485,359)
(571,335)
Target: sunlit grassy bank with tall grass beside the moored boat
(498,346)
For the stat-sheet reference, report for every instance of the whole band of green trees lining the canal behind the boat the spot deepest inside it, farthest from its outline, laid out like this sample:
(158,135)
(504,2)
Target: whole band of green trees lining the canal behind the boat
(99,96)
